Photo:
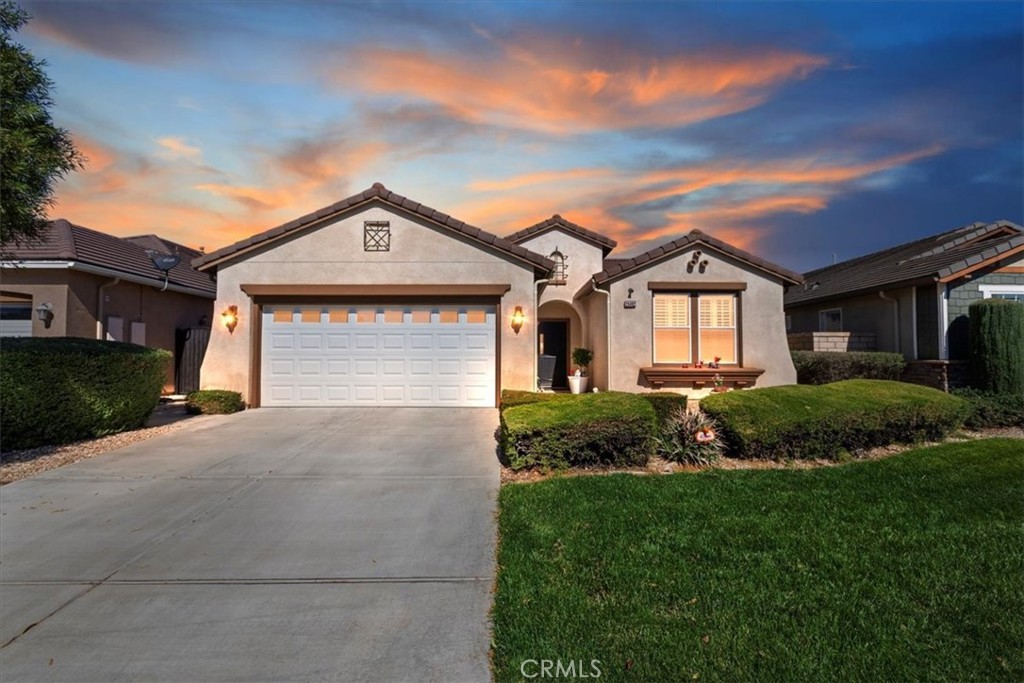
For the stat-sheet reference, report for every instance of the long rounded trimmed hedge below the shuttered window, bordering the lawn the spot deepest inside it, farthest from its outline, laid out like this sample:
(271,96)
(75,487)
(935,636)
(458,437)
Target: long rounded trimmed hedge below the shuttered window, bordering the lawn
(804,421)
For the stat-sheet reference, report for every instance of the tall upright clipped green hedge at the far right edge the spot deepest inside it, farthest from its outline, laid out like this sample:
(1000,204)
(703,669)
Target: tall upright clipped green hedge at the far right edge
(997,344)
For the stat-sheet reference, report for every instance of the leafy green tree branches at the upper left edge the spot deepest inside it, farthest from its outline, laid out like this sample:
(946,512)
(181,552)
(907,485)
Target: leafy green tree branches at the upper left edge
(34,153)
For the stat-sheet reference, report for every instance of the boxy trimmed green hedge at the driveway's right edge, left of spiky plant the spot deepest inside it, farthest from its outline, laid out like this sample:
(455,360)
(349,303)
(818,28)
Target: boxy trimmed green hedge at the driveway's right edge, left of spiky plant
(608,429)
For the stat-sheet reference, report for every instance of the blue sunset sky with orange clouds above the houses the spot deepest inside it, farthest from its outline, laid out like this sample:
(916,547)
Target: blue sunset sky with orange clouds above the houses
(796,131)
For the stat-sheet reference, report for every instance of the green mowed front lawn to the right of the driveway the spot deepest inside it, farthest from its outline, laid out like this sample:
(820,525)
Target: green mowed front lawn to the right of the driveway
(905,569)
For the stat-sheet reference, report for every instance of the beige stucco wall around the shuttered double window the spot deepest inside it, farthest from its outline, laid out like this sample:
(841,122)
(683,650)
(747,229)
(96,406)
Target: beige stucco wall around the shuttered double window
(763,327)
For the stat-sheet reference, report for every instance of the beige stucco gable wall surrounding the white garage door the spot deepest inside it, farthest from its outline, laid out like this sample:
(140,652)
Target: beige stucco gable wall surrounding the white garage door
(421,254)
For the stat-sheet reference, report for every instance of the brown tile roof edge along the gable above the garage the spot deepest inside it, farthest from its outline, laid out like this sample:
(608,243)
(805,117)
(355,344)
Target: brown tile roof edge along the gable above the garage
(376,193)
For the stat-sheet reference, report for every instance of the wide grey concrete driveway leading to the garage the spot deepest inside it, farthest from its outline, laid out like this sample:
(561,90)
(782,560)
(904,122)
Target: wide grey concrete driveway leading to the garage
(274,545)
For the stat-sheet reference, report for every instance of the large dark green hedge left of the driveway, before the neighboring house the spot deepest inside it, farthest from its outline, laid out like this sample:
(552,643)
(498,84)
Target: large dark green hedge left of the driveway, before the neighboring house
(62,390)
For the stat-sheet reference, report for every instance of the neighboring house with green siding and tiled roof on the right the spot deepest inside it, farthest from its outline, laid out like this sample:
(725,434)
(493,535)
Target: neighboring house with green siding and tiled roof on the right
(913,298)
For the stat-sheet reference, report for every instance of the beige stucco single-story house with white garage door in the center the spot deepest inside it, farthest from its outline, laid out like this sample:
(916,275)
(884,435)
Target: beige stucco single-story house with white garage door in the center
(379,301)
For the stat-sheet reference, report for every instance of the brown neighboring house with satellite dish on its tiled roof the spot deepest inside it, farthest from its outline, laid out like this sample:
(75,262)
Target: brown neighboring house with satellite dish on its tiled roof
(95,285)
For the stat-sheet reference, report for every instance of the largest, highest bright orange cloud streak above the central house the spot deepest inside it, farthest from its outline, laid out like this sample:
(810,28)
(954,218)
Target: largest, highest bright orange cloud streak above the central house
(560,94)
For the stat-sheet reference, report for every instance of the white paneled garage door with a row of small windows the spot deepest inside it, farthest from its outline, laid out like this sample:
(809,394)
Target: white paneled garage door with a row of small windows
(378,356)
